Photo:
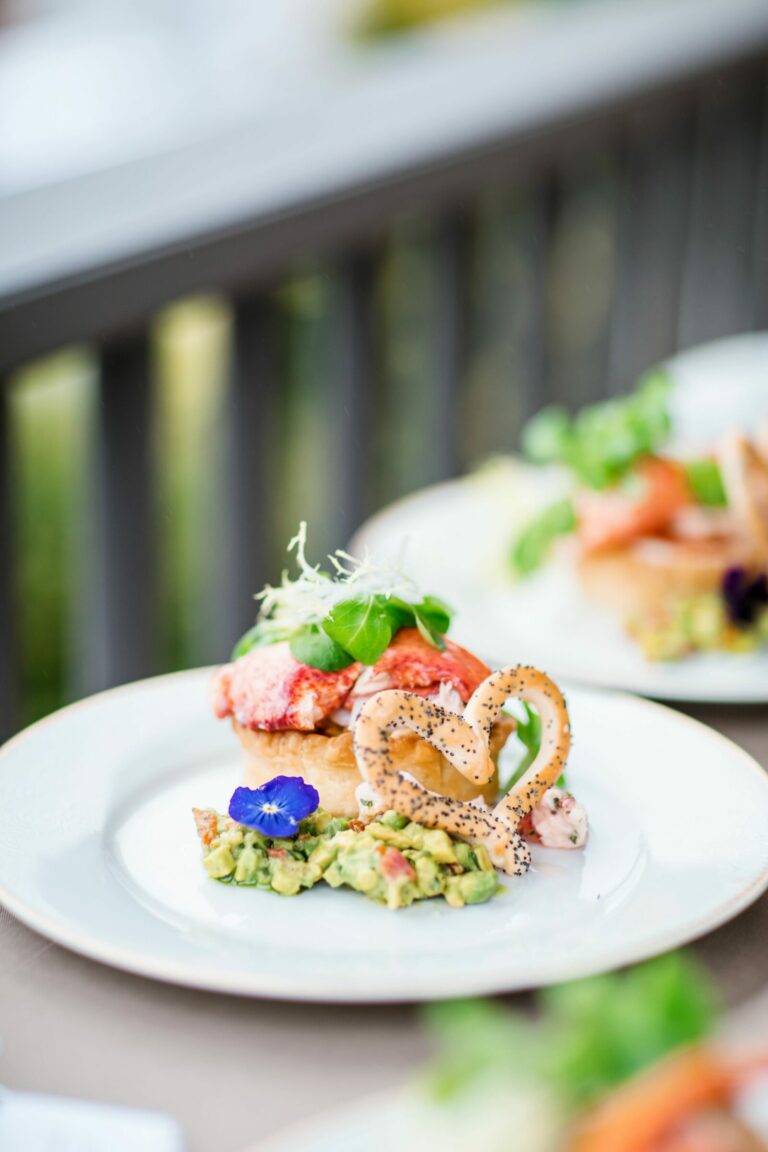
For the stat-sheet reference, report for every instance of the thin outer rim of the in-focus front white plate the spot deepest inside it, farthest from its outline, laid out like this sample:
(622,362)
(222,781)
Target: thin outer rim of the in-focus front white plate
(257,987)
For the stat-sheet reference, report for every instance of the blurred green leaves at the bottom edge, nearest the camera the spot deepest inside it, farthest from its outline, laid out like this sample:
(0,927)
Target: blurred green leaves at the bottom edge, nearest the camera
(591,1035)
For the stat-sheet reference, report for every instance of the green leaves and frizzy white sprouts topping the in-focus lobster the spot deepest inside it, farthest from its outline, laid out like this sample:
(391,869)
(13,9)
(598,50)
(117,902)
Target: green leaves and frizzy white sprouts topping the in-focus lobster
(333,620)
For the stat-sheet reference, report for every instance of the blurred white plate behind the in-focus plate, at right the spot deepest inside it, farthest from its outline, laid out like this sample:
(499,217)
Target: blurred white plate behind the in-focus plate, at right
(455,541)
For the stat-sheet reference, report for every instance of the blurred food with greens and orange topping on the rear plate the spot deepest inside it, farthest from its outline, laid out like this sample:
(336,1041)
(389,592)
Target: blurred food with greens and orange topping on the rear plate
(676,547)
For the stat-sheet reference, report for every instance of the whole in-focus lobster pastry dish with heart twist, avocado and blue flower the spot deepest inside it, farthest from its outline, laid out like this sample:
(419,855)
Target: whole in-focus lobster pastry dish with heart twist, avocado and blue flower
(371,748)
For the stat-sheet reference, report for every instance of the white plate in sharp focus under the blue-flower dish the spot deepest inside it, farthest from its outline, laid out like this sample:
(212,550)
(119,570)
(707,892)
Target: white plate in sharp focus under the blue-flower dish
(98,853)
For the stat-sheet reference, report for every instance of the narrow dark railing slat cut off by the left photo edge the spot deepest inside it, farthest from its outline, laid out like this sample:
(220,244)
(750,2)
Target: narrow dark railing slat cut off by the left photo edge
(9,639)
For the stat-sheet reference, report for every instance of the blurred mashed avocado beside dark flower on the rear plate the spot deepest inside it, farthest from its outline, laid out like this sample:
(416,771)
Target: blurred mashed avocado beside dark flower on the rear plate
(698,624)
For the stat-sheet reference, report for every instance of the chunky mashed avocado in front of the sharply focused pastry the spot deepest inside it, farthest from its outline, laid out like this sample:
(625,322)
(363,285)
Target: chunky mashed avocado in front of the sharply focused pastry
(391,860)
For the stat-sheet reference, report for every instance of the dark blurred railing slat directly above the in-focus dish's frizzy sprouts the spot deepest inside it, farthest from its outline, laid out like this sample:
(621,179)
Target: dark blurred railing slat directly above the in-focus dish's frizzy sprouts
(354,392)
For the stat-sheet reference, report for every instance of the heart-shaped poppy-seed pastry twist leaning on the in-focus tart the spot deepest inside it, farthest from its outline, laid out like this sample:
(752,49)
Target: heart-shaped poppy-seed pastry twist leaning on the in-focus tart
(465,742)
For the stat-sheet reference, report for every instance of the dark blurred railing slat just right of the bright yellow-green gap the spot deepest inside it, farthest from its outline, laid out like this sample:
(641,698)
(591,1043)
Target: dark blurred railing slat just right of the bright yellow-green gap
(253,471)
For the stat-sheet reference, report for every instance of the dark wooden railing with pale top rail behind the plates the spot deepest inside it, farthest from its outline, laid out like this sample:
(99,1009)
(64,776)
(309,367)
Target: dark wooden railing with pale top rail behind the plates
(588,195)
